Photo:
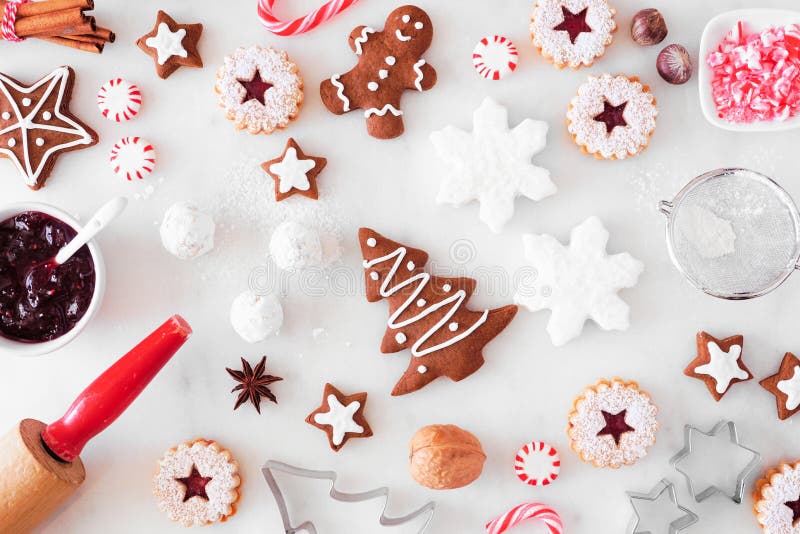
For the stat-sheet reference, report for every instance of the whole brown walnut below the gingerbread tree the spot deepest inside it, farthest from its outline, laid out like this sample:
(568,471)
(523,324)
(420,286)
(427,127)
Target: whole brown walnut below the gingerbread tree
(445,457)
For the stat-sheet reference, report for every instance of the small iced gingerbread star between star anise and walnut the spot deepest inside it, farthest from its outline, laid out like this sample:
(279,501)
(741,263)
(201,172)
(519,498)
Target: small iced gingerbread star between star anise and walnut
(341,417)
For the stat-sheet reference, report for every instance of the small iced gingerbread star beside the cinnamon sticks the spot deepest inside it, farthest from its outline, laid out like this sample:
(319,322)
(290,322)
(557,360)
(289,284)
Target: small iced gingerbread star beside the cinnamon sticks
(172,45)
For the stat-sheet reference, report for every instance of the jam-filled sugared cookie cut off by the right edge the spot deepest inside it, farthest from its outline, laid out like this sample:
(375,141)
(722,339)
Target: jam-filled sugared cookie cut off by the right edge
(777,500)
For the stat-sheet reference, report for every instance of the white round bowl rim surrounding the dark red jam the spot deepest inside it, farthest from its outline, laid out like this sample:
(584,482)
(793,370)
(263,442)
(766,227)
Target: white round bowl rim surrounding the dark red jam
(19,348)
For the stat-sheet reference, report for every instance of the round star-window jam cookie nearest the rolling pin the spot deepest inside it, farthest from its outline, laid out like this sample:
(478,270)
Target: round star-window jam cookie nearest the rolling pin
(197,483)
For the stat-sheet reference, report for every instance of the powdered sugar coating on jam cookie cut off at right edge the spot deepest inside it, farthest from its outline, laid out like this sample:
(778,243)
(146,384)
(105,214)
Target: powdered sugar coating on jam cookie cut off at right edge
(773,514)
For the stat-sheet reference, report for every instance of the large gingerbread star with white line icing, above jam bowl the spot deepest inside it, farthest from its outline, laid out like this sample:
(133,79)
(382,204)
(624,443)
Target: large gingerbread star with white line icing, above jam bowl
(36,125)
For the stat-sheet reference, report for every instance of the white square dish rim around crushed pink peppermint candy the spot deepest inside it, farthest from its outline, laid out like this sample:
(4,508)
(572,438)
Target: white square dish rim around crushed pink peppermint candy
(755,20)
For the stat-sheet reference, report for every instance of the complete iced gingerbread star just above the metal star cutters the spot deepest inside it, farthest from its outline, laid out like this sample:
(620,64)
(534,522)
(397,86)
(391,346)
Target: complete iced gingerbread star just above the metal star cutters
(718,363)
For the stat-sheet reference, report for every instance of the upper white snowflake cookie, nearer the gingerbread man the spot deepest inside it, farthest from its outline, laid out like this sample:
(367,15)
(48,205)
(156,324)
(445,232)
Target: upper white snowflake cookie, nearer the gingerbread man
(492,164)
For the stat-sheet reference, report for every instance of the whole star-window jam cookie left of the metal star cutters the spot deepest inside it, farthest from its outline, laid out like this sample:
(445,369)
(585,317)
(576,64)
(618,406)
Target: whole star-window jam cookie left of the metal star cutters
(612,424)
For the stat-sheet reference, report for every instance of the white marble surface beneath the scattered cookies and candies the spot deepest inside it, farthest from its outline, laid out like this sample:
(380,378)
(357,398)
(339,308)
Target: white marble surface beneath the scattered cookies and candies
(526,387)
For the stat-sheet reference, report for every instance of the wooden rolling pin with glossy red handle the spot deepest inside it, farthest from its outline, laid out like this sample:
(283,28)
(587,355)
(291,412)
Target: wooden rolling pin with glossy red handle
(39,464)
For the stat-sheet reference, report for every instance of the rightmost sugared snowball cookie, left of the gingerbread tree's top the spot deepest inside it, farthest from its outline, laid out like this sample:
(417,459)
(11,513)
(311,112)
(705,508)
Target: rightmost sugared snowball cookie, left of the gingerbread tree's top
(295,246)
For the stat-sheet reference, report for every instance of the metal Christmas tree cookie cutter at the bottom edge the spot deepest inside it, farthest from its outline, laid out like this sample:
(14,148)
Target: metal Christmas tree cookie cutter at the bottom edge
(308,527)
